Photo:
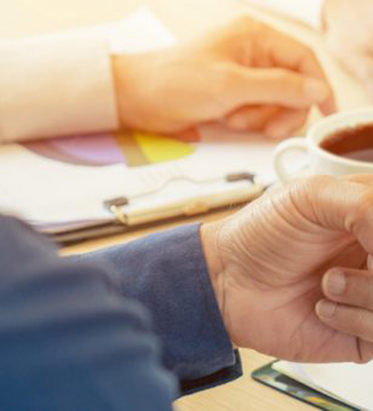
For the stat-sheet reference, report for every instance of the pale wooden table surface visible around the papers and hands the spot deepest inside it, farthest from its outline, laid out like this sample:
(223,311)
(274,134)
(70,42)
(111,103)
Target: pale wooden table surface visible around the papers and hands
(184,18)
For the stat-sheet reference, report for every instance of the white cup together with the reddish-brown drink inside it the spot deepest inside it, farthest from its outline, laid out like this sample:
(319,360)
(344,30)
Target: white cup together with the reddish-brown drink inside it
(338,145)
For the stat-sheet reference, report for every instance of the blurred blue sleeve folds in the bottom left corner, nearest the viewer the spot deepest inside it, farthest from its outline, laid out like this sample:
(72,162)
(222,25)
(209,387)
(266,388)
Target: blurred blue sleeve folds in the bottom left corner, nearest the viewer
(69,340)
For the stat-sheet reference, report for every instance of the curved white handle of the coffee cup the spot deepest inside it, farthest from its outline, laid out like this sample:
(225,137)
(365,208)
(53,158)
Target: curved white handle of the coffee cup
(297,144)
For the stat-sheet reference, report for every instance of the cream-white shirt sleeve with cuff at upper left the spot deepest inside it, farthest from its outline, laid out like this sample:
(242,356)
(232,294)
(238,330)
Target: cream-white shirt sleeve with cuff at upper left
(56,85)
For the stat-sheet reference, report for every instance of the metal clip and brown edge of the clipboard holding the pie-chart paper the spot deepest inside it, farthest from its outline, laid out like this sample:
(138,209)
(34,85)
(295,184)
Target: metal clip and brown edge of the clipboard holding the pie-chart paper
(242,189)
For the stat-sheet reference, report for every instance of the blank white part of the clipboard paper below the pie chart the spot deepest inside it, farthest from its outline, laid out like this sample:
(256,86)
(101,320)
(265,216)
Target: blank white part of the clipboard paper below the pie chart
(44,190)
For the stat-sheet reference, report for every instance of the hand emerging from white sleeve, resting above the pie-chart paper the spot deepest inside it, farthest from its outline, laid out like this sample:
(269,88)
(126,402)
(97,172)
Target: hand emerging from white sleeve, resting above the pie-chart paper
(247,75)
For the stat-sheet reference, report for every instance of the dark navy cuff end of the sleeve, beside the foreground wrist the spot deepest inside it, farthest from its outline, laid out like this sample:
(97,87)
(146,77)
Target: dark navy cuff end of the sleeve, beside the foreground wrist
(167,273)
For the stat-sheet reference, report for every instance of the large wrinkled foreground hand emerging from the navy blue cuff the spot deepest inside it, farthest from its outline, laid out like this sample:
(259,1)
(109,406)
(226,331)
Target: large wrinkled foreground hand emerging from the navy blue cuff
(268,262)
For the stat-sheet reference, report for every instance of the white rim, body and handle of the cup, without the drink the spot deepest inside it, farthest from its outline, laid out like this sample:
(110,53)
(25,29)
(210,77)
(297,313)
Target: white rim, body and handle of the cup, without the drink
(320,161)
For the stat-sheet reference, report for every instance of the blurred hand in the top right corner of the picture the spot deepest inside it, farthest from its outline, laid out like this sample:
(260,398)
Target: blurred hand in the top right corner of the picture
(348,26)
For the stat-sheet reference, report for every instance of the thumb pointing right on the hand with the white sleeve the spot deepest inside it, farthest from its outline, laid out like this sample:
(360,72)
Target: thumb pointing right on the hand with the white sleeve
(279,87)
